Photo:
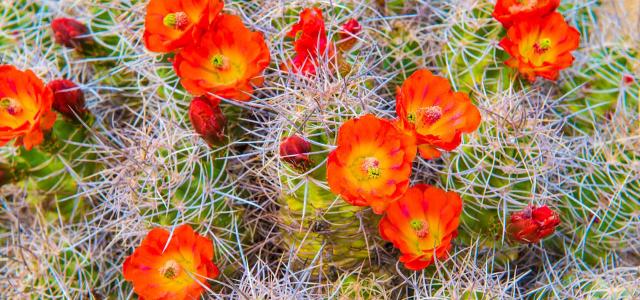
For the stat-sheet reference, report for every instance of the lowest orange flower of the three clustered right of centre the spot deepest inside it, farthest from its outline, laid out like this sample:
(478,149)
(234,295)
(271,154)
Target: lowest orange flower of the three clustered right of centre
(422,224)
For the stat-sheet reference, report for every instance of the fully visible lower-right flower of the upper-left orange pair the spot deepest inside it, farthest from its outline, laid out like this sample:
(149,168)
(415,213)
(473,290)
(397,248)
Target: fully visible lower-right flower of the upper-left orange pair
(227,61)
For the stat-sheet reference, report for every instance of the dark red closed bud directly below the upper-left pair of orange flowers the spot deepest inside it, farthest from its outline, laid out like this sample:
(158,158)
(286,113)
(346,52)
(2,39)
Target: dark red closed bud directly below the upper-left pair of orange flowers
(207,119)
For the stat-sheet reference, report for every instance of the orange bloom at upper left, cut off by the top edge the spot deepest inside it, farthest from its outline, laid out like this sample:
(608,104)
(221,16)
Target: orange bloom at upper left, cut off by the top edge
(172,24)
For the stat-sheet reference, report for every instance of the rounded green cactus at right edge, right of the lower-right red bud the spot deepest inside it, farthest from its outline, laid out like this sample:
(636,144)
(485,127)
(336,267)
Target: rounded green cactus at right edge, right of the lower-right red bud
(601,210)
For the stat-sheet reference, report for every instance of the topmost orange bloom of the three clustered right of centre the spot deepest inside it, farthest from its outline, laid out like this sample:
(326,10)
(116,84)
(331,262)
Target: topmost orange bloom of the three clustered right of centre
(426,105)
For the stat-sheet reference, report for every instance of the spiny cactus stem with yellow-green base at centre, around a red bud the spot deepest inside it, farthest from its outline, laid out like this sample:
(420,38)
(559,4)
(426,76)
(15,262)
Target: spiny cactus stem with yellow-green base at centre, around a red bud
(318,229)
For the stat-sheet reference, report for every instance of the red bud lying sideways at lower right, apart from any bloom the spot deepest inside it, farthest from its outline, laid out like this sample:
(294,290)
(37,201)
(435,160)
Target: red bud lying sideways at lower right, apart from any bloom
(532,224)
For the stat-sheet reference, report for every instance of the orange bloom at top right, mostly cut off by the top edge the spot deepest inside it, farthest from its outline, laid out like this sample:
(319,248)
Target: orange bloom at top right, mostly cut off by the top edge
(509,11)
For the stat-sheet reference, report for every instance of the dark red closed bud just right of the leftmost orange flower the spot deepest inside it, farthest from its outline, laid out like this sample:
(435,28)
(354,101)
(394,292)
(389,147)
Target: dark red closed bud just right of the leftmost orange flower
(68,98)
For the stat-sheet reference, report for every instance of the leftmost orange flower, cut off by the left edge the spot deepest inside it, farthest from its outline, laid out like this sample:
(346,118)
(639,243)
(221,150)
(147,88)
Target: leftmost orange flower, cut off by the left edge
(25,107)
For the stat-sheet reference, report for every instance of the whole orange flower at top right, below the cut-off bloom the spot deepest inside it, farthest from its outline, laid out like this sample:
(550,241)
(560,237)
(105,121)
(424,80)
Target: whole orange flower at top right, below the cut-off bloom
(540,46)
